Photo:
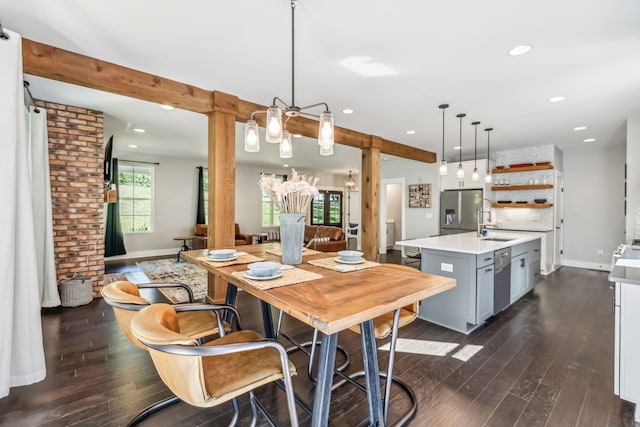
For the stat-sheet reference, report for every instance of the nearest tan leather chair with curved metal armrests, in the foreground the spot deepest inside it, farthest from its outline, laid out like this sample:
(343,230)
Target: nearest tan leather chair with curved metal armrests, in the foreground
(217,371)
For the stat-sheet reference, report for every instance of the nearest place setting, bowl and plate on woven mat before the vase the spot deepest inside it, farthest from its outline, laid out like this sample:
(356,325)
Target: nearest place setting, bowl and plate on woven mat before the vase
(268,275)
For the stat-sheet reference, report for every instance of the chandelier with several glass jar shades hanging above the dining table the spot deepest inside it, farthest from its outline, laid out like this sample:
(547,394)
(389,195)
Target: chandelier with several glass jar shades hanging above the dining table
(276,128)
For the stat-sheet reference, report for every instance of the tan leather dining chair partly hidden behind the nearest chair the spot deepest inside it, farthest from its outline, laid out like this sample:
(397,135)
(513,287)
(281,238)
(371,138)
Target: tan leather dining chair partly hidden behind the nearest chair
(124,297)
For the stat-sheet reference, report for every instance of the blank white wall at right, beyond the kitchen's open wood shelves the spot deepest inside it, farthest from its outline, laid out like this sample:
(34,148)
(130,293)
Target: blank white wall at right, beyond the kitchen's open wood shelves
(593,204)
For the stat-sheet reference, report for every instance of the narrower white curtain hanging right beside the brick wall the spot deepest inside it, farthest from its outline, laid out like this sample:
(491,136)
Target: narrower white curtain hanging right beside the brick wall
(41,197)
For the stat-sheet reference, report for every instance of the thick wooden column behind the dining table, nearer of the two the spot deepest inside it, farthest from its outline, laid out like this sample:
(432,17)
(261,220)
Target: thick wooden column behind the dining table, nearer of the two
(222,182)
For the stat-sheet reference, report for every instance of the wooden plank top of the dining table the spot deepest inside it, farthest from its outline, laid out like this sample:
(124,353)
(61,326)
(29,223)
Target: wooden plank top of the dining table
(340,299)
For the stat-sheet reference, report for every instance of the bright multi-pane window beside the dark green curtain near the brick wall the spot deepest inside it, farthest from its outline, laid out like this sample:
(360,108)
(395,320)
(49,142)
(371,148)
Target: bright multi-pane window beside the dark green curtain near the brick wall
(135,185)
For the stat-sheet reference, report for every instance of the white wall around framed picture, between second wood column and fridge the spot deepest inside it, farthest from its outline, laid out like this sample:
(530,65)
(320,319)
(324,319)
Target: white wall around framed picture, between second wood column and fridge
(419,222)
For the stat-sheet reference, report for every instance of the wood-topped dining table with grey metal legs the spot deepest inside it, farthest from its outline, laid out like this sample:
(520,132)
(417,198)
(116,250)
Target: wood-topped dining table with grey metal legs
(330,300)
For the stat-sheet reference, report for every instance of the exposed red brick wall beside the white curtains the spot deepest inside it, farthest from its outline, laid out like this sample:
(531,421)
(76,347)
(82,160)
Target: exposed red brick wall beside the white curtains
(75,160)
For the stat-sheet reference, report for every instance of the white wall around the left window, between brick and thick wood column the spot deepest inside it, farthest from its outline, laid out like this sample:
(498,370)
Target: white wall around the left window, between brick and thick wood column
(174,209)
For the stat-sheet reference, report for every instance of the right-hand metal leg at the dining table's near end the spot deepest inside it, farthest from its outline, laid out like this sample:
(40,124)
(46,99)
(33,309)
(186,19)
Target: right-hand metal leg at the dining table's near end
(372,373)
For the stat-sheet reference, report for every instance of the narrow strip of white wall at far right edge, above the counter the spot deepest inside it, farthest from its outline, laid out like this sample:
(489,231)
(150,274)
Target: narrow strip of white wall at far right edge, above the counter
(633,179)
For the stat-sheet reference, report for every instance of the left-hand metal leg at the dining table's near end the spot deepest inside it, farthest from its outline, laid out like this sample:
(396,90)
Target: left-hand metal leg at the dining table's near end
(326,364)
